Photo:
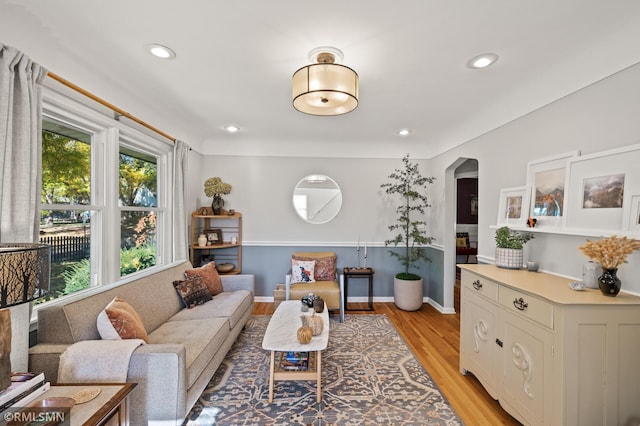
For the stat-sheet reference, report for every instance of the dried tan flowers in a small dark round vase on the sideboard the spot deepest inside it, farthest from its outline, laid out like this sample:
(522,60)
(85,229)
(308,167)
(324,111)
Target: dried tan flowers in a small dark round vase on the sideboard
(610,253)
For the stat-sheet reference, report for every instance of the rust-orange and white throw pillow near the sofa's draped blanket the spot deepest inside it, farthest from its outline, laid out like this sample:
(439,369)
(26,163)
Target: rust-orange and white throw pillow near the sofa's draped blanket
(118,320)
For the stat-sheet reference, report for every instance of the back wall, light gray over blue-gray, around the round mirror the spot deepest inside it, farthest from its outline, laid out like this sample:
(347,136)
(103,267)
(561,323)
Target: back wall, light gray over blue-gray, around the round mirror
(262,192)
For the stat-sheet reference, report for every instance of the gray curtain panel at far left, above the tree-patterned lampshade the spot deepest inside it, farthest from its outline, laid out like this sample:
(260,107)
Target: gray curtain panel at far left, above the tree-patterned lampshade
(20,145)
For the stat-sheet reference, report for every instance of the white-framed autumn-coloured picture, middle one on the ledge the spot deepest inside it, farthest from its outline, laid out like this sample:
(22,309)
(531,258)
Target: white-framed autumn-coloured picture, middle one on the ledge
(546,179)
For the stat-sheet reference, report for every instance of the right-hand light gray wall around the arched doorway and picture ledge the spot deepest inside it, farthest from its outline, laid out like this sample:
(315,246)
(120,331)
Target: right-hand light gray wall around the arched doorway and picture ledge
(600,117)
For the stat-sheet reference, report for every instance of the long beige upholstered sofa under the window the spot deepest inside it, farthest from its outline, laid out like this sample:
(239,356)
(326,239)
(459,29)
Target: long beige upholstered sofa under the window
(185,347)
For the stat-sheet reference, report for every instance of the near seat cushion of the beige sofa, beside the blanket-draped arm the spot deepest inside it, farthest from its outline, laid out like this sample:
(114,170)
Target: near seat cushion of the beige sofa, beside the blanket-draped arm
(201,339)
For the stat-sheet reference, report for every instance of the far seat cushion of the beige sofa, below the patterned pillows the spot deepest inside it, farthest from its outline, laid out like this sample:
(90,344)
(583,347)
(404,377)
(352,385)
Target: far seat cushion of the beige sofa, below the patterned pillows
(231,304)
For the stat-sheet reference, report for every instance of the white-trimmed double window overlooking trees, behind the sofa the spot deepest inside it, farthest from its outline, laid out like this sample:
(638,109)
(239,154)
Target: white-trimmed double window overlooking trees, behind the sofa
(104,197)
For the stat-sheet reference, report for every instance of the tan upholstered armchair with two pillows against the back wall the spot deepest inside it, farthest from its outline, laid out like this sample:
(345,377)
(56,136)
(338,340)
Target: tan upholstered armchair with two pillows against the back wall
(317,273)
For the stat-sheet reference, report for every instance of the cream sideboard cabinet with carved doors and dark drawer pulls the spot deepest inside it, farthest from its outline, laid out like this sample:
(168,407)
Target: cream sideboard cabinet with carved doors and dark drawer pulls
(548,354)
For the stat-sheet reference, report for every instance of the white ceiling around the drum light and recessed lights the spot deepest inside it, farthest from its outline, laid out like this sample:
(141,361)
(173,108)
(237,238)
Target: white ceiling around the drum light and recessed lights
(235,60)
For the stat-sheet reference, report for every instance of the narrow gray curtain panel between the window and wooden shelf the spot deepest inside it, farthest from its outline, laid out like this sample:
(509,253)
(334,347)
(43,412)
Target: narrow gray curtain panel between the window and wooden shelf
(180,240)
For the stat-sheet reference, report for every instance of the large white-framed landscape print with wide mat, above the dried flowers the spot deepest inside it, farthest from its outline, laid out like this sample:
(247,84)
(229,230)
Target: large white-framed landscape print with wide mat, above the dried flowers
(601,188)
